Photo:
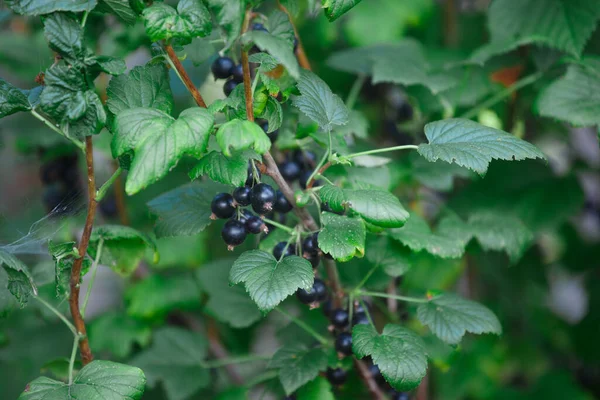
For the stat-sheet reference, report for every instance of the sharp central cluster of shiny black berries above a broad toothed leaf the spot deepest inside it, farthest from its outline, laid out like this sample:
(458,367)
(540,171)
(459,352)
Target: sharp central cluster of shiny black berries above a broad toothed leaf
(263,199)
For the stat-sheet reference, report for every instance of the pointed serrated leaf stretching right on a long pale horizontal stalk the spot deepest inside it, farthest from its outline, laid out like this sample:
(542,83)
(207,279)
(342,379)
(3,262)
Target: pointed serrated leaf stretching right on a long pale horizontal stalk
(472,145)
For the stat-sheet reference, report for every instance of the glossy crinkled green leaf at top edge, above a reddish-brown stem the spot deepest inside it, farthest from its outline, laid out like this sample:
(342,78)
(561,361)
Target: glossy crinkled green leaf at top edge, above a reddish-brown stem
(191,19)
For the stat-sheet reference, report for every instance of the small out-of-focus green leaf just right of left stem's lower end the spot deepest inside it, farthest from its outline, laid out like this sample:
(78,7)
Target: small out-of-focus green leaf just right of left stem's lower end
(118,333)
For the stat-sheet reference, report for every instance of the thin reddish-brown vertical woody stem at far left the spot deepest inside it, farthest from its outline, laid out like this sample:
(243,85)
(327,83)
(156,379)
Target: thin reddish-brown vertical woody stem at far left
(84,345)
